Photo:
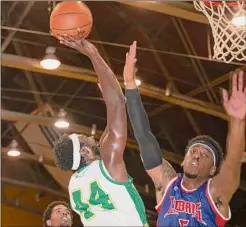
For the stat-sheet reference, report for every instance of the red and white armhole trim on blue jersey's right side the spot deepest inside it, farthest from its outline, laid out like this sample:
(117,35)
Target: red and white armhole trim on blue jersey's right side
(220,219)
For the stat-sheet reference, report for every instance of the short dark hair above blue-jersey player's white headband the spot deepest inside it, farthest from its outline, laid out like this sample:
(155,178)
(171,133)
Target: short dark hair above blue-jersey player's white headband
(211,141)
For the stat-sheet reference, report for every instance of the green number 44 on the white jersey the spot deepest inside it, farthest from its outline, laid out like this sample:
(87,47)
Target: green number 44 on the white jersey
(98,197)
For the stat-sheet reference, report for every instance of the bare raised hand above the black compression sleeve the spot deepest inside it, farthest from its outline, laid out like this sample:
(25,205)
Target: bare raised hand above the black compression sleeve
(130,69)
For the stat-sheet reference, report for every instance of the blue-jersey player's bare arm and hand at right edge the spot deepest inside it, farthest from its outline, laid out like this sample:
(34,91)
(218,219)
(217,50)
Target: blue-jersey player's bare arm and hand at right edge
(225,184)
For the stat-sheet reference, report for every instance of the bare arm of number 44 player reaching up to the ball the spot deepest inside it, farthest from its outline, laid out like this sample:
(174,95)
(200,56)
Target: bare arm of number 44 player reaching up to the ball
(113,144)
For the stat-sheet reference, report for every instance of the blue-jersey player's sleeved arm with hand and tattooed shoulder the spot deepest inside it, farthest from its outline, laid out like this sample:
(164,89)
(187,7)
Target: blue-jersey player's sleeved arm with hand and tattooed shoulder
(158,169)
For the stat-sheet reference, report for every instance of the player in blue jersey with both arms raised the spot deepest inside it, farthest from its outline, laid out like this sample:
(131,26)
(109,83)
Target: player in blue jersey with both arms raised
(201,195)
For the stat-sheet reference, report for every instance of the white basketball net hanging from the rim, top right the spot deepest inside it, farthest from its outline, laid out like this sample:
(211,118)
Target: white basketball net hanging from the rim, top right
(228,23)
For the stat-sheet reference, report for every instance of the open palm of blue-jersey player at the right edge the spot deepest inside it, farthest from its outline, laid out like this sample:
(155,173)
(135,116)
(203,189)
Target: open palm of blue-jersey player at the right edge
(235,105)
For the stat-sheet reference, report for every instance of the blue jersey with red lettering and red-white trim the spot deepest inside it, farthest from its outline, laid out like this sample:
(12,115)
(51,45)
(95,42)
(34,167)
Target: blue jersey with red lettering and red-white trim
(181,207)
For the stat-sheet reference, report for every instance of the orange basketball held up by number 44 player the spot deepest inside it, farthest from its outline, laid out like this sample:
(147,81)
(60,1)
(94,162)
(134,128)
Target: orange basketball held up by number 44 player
(68,17)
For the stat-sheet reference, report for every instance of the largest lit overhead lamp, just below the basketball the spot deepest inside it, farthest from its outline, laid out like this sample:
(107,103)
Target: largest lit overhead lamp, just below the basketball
(50,61)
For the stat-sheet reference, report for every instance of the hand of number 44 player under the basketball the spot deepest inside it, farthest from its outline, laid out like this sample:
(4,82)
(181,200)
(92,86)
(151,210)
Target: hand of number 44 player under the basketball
(80,44)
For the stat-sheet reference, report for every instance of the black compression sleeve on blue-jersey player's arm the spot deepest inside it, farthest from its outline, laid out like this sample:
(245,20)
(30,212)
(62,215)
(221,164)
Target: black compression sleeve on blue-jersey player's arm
(149,147)
